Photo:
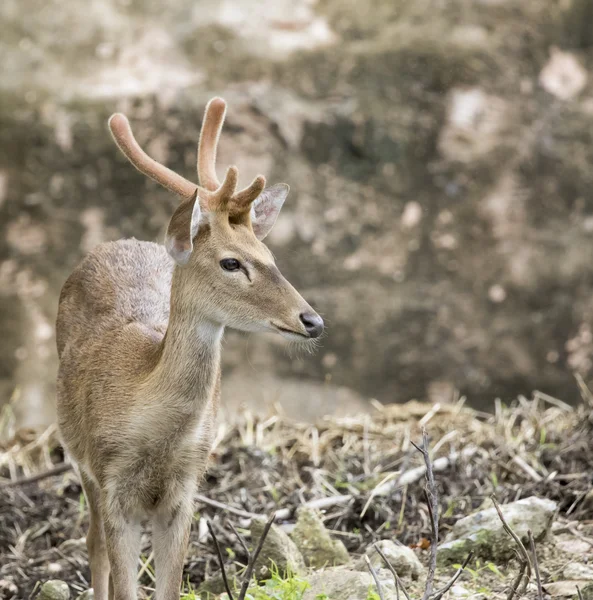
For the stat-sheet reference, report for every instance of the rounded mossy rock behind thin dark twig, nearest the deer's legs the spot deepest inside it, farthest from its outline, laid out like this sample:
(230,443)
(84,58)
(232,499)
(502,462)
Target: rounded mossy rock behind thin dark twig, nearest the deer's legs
(279,552)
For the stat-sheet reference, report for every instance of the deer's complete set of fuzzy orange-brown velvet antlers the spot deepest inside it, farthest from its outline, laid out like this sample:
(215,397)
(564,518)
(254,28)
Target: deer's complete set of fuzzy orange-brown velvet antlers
(213,194)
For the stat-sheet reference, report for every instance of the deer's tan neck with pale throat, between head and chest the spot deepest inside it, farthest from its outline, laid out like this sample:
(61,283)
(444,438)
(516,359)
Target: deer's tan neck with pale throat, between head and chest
(189,362)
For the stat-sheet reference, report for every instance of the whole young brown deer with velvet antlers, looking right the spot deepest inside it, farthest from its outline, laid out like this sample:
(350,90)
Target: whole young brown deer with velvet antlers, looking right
(139,332)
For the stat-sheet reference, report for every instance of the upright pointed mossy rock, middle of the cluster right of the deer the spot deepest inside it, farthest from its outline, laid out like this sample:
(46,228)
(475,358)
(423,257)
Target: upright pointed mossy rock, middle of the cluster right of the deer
(315,542)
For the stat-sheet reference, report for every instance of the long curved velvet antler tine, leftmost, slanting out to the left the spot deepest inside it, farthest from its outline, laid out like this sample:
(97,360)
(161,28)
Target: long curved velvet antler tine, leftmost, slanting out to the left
(124,138)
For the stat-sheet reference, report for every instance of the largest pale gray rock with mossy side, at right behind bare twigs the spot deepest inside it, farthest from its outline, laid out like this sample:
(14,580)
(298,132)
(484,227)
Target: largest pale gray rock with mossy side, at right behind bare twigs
(483,532)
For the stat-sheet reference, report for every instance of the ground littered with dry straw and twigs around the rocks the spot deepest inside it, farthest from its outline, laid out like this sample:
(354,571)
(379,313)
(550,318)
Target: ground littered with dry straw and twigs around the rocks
(533,447)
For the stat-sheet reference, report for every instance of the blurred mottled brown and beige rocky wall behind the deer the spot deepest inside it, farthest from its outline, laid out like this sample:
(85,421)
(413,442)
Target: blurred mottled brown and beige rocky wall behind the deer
(440,155)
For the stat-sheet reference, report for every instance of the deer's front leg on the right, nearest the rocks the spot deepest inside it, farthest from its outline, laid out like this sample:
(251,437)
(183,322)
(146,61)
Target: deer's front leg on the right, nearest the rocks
(170,539)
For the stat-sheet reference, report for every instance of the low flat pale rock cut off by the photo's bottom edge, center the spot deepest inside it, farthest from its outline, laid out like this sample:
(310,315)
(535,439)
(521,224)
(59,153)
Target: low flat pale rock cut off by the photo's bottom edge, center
(343,584)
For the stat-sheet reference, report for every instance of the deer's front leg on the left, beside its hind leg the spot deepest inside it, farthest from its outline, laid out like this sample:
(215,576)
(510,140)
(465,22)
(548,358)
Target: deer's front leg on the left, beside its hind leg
(122,536)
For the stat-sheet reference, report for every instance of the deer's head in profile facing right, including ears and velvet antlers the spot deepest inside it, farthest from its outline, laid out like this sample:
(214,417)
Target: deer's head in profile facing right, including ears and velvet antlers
(225,272)
